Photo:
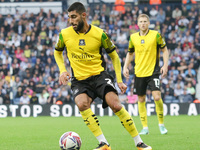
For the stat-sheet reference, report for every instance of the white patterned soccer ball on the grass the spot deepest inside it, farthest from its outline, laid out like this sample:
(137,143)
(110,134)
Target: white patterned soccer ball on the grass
(70,141)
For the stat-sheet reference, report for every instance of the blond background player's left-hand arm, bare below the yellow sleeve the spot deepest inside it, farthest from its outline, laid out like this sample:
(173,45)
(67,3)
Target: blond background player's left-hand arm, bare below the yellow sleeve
(129,58)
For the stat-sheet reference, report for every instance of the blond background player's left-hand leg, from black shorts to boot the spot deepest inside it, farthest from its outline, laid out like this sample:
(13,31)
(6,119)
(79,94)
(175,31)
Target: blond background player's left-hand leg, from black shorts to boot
(140,86)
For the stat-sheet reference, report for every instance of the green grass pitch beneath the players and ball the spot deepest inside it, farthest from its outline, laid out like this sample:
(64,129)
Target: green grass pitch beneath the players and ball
(43,133)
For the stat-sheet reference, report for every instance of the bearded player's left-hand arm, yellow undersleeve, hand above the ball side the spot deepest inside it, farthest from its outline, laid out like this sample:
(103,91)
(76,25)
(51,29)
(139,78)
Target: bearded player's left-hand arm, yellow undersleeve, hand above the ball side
(58,55)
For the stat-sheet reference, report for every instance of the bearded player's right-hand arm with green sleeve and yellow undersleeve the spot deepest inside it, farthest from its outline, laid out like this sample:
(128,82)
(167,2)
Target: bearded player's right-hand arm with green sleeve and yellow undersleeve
(110,49)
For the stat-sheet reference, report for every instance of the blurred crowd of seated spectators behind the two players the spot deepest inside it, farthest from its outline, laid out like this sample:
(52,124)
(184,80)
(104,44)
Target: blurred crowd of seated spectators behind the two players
(29,74)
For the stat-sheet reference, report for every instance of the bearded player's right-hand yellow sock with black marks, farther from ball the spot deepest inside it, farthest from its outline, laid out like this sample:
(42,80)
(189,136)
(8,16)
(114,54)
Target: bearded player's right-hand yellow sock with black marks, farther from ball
(127,122)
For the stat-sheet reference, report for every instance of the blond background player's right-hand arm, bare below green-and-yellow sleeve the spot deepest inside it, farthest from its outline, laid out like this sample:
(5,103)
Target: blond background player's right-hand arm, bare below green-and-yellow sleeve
(163,47)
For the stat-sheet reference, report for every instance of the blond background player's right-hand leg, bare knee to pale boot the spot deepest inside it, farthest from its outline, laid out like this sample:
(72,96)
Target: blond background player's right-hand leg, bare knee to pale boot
(159,110)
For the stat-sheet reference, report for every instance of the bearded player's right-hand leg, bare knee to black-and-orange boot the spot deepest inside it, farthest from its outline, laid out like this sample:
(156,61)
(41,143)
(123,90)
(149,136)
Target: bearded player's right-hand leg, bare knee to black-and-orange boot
(125,118)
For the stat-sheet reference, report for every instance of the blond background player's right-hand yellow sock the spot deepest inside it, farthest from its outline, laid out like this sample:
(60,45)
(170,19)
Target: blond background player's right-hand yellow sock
(159,111)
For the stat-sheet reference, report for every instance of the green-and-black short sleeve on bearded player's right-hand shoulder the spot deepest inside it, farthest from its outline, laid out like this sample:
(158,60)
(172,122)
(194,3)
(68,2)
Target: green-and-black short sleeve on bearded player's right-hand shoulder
(107,44)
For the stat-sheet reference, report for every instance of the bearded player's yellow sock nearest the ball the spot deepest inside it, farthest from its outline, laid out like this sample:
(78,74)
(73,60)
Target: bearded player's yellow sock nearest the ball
(91,121)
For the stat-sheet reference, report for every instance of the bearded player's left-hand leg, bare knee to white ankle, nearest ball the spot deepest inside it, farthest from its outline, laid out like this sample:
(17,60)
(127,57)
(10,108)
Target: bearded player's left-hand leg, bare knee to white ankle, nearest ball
(83,101)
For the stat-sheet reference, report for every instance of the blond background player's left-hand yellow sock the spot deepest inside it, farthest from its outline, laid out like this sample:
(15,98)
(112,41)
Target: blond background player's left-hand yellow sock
(143,113)
